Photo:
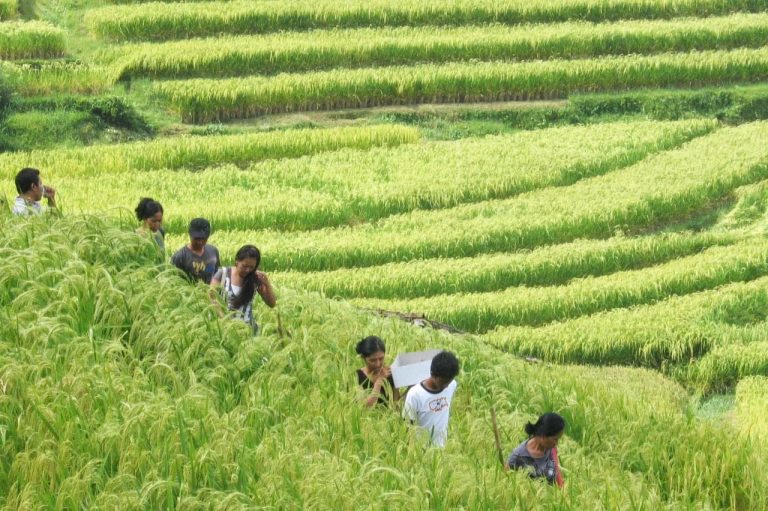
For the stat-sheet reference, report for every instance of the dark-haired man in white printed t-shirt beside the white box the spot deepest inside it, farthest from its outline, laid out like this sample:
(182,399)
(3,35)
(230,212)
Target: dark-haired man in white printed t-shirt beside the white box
(428,404)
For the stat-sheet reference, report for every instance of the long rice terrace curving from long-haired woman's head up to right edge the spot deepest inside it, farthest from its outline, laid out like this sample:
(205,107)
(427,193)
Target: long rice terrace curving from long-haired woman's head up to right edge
(641,195)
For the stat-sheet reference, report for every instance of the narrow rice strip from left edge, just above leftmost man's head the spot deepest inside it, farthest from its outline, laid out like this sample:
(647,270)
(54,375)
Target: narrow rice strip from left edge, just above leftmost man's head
(195,152)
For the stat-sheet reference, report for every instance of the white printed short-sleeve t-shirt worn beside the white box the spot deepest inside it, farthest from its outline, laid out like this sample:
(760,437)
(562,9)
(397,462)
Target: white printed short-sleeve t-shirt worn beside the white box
(430,410)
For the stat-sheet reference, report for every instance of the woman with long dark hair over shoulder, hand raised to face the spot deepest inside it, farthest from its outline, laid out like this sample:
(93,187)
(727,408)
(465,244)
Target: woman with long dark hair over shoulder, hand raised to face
(241,282)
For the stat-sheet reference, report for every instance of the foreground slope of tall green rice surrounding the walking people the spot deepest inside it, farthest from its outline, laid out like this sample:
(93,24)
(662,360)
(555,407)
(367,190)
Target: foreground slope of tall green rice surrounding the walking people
(114,405)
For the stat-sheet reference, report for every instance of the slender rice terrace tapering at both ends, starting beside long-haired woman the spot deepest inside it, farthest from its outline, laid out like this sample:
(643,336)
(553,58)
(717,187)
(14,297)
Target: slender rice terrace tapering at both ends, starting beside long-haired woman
(544,266)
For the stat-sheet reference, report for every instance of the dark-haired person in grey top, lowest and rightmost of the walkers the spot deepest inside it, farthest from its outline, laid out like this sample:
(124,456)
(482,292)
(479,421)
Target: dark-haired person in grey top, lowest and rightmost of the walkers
(539,453)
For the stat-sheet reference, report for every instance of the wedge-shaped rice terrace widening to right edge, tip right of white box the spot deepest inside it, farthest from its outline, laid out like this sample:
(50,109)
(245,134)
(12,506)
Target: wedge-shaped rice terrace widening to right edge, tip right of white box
(666,335)
